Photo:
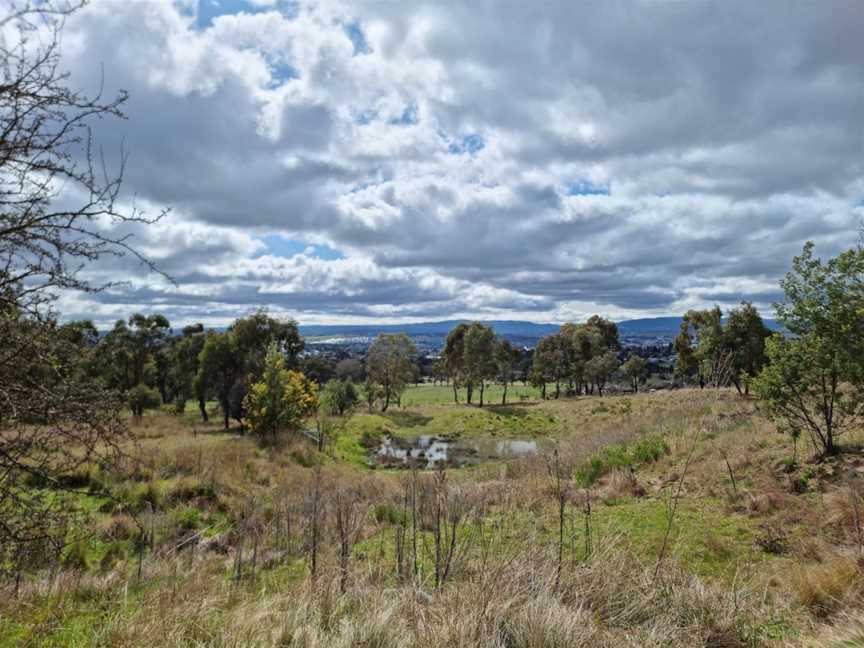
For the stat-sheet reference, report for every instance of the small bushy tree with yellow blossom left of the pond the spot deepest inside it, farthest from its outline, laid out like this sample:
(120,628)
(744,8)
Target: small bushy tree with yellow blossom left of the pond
(280,400)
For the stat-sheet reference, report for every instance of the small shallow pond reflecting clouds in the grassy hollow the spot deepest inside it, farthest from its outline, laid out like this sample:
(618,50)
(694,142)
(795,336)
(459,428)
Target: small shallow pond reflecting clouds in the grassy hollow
(428,452)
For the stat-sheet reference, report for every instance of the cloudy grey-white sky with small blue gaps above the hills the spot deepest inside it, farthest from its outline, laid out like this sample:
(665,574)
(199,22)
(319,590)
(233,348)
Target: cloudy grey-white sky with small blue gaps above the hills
(400,161)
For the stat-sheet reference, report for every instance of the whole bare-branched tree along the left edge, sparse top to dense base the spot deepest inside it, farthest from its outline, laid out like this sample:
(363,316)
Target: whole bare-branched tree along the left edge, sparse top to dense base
(55,200)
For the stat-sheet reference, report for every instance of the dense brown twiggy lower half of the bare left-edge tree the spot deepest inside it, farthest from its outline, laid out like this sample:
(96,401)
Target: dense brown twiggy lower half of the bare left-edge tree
(52,423)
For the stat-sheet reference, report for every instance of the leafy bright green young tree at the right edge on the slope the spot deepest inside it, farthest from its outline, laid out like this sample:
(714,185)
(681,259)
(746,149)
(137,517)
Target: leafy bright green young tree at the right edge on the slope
(814,381)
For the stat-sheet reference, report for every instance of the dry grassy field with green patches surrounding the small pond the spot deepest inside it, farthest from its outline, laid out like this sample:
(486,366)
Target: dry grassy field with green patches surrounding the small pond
(674,518)
